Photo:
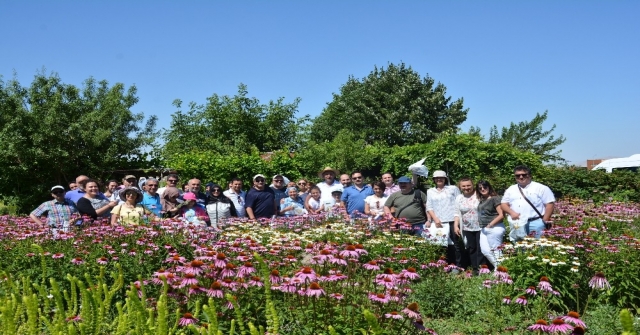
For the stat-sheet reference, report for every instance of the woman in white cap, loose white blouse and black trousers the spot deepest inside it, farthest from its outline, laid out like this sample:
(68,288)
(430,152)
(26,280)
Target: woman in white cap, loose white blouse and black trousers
(441,206)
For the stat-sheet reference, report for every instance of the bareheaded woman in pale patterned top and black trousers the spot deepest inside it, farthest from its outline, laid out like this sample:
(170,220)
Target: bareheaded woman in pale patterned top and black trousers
(466,220)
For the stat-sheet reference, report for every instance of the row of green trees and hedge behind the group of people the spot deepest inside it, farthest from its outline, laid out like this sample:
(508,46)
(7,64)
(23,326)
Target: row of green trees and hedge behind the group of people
(51,131)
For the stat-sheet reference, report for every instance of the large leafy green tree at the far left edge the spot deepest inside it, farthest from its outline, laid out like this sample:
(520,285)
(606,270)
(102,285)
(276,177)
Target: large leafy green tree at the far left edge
(51,132)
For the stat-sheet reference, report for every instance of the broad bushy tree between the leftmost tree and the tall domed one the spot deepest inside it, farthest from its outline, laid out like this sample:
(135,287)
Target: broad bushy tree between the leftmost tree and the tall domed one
(232,125)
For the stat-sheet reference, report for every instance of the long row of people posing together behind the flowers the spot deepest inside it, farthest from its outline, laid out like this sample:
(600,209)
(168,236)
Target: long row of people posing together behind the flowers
(471,212)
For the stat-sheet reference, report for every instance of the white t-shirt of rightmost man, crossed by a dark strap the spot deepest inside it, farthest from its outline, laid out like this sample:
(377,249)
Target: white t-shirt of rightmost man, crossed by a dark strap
(538,194)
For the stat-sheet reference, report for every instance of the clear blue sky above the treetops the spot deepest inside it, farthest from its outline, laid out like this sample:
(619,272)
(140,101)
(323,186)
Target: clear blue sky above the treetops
(507,59)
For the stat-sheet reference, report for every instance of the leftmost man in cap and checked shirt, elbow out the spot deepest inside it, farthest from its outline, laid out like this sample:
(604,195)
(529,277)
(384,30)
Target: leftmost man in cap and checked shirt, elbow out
(59,211)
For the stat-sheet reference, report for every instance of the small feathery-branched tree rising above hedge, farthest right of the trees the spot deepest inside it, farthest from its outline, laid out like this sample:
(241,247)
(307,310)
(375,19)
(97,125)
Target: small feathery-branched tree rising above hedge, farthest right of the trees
(529,135)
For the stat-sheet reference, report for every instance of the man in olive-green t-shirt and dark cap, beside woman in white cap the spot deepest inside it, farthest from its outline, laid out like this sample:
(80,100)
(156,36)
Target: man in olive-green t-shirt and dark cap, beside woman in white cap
(408,204)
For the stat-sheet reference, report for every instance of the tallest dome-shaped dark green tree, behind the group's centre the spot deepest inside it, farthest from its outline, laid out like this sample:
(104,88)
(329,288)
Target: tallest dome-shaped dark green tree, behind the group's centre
(394,106)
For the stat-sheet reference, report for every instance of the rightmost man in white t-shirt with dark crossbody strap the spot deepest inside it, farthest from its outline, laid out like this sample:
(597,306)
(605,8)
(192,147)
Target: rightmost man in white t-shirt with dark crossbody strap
(516,206)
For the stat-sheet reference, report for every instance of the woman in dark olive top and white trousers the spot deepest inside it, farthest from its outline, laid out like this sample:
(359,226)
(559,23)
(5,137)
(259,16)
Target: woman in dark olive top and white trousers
(490,217)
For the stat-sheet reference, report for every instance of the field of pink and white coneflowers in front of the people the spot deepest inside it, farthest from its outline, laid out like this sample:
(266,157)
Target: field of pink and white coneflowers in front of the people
(316,275)
